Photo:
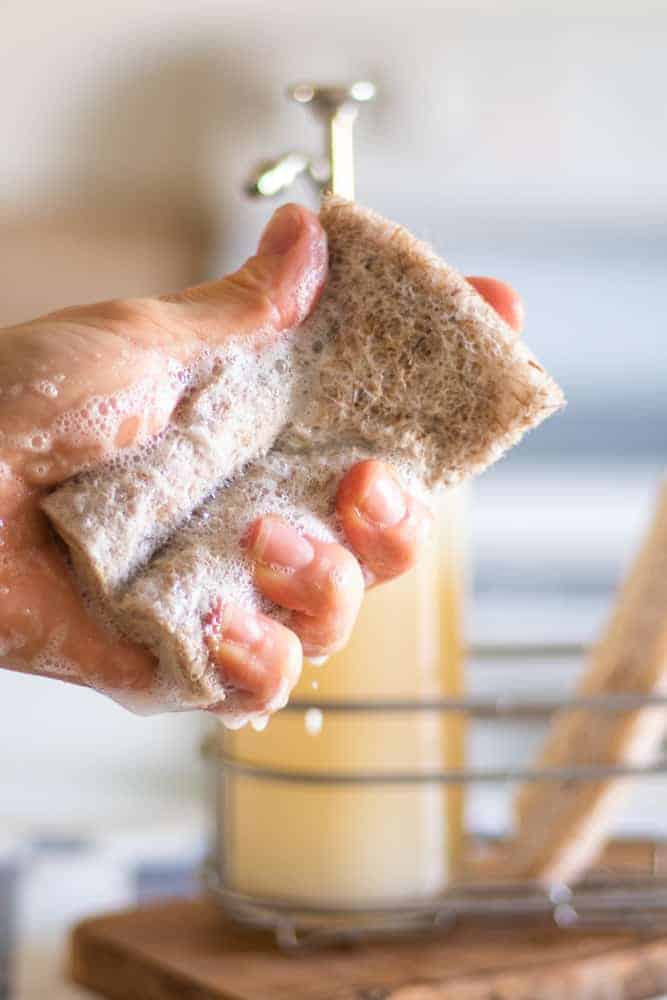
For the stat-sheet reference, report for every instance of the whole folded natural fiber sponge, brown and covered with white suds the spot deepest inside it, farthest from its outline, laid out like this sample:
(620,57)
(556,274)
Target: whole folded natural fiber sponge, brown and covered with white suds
(402,359)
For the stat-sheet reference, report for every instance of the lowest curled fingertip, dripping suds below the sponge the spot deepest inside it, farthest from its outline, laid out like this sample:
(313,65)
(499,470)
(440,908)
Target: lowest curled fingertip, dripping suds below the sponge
(256,657)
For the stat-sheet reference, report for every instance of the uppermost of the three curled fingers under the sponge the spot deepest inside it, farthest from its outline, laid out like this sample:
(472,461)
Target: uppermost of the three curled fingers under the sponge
(385,525)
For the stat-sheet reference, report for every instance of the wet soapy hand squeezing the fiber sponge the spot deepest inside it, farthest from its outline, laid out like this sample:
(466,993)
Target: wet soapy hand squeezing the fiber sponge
(58,377)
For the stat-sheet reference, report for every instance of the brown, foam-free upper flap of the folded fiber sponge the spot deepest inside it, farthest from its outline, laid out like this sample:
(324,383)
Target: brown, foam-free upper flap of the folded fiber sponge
(414,360)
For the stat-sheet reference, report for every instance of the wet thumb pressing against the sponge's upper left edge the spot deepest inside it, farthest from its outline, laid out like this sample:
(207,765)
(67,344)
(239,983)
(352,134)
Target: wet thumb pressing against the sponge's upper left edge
(273,290)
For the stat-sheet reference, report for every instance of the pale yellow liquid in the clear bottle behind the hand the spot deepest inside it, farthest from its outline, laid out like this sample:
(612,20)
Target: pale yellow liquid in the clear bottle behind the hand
(374,843)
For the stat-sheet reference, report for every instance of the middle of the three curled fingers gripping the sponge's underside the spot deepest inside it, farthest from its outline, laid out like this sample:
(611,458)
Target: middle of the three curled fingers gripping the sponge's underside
(321,582)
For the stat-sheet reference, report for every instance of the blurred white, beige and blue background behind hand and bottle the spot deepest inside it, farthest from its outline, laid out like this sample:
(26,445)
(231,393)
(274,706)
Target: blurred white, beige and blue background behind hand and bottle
(522,142)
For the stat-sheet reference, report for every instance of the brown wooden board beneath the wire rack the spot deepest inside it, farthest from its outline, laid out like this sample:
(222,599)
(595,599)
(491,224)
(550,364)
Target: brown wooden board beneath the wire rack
(186,950)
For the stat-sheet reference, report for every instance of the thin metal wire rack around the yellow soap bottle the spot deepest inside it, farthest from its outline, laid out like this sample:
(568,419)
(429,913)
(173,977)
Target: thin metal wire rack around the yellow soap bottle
(628,889)
